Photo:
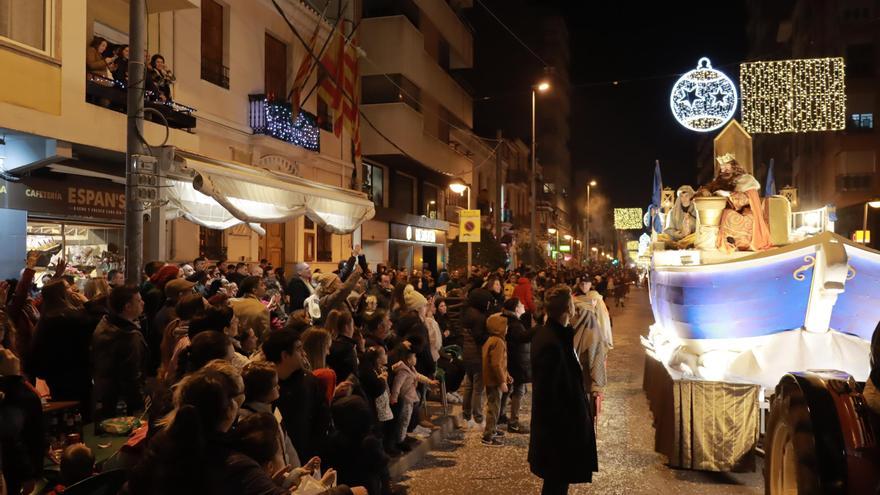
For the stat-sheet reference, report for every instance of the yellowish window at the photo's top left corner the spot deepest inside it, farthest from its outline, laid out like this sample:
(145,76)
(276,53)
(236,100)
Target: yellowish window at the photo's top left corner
(27,22)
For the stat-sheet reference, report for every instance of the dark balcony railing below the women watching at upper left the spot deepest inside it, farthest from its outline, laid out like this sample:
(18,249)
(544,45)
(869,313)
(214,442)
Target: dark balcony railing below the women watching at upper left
(113,94)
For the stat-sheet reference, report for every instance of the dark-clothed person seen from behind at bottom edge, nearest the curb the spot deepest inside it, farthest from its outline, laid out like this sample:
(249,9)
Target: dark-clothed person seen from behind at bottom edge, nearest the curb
(353,451)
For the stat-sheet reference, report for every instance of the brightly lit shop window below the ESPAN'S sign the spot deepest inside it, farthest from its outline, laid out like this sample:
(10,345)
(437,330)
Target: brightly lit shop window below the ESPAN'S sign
(87,248)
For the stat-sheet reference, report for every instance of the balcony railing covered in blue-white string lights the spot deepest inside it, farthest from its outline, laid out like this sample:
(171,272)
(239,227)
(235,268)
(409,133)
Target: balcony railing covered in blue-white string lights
(274,118)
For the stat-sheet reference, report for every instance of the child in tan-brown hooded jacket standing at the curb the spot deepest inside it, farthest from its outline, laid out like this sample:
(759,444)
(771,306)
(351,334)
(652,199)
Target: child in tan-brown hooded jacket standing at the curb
(495,376)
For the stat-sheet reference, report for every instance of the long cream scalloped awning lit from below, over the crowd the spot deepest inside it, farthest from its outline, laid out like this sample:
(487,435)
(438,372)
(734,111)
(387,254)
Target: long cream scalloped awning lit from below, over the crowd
(255,195)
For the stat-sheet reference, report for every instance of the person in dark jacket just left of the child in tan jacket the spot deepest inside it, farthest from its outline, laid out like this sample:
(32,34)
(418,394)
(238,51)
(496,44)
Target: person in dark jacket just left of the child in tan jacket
(473,323)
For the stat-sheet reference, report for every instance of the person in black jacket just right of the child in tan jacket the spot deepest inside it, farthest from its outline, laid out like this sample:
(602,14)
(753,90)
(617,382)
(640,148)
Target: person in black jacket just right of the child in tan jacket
(519,339)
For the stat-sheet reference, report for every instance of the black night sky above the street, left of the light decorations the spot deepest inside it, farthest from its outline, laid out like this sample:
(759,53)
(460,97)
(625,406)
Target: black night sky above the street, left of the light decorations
(617,130)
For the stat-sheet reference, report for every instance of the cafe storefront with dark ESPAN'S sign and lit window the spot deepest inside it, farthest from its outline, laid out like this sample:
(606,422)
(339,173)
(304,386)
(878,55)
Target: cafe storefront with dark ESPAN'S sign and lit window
(77,218)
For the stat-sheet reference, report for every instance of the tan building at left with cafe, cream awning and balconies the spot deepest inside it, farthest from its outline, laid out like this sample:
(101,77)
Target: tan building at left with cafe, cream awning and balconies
(63,132)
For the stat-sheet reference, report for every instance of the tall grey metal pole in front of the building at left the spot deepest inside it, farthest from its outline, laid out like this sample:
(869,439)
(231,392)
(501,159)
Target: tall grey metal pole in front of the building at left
(134,226)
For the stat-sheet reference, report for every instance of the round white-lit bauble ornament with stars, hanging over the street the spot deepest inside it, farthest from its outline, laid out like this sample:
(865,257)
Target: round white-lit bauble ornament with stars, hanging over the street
(704,99)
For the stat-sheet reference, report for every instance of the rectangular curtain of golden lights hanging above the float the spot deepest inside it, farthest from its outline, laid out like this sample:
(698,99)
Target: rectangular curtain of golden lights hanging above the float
(801,95)
